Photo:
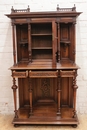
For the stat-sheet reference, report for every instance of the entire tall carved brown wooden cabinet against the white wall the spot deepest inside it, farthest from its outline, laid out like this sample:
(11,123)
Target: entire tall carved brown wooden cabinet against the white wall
(44,63)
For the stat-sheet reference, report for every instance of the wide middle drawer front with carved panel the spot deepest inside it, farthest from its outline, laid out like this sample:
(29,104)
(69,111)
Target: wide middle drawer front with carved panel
(43,74)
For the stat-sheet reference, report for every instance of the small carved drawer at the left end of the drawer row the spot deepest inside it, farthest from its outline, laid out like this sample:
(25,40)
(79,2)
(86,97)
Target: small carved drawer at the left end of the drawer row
(20,74)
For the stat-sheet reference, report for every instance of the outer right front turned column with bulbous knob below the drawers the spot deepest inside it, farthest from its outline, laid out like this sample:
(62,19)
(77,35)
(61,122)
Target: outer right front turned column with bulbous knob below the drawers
(74,94)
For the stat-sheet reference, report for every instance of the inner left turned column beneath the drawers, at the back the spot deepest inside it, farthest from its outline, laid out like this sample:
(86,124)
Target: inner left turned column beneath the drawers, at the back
(30,97)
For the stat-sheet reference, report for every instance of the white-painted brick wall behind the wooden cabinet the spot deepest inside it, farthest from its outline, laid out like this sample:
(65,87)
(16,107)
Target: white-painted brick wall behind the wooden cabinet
(6,56)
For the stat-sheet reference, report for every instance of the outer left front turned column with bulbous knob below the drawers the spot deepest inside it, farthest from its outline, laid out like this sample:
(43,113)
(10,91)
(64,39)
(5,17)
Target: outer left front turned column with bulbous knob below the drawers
(14,87)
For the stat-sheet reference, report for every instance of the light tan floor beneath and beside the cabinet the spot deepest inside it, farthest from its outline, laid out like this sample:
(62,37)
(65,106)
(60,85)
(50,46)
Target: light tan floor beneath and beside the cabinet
(5,124)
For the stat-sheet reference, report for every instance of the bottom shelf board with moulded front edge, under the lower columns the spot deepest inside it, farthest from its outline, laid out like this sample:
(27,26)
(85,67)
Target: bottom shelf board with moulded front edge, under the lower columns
(46,116)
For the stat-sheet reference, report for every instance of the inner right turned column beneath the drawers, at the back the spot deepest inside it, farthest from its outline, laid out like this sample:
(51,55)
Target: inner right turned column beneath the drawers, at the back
(58,96)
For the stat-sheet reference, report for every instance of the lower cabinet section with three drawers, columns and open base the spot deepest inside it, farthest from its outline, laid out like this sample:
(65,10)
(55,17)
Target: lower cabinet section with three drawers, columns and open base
(45,97)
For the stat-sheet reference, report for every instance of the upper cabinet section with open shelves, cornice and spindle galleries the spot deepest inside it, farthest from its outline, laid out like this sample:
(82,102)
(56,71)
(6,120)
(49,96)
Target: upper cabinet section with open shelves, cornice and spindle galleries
(43,37)
